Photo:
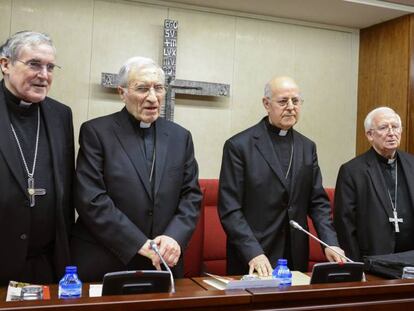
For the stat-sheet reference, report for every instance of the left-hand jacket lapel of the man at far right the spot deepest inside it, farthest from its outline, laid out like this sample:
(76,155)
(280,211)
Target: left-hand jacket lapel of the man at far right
(378,181)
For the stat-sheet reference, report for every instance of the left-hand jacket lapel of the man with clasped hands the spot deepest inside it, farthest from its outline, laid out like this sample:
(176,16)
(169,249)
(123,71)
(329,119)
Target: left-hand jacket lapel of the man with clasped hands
(128,138)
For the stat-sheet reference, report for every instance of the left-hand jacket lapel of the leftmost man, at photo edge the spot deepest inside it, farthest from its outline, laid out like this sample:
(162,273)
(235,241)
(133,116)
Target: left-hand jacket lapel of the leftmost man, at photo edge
(8,146)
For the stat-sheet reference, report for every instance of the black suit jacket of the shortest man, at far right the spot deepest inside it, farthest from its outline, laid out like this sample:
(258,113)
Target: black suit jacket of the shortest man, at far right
(362,205)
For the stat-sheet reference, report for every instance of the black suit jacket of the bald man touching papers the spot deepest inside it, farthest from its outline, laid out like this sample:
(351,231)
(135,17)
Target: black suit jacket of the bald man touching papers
(255,202)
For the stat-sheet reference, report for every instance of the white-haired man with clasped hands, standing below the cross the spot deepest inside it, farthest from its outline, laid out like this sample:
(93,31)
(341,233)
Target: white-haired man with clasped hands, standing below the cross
(137,181)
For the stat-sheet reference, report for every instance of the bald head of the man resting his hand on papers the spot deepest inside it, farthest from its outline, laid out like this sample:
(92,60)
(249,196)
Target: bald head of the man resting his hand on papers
(282,102)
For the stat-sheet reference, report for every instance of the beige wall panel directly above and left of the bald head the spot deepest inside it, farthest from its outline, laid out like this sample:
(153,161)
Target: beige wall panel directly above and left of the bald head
(263,49)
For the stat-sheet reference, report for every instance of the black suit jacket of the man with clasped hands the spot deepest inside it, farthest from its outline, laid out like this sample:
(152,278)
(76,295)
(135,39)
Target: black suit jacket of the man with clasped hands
(117,210)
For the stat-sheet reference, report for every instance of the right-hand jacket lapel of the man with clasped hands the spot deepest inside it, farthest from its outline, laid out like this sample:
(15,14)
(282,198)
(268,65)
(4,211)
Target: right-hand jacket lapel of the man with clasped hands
(161,147)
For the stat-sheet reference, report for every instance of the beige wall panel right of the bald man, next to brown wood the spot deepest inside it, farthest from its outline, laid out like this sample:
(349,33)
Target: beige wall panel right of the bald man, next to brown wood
(326,68)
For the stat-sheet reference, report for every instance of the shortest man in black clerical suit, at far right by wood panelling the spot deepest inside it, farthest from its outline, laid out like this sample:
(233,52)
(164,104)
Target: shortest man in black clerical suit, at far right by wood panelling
(374,194)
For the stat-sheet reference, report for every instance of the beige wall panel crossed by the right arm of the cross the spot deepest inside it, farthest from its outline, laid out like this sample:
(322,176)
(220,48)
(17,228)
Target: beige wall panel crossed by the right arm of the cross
(205,53)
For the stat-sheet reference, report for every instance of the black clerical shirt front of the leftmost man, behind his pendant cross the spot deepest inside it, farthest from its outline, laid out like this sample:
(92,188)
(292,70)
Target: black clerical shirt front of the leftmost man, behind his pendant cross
(42,215)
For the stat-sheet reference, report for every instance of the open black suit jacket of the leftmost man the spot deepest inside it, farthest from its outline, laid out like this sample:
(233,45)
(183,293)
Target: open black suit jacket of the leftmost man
(14,200)
